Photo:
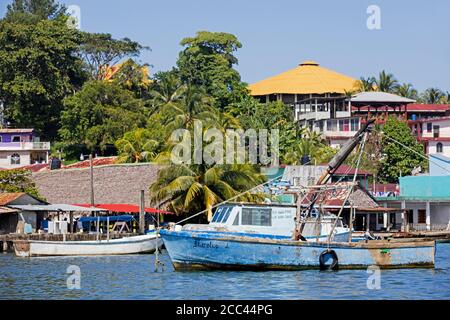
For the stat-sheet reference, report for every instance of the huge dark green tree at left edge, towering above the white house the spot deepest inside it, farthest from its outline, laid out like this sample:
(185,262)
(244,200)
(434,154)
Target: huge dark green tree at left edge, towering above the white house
(38,68)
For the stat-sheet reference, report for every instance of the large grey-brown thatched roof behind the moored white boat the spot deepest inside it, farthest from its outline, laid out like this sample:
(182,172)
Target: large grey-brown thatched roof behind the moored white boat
(119,183)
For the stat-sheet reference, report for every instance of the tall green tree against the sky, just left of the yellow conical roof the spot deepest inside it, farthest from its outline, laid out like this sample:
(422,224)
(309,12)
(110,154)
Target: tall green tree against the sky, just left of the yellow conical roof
(207,61)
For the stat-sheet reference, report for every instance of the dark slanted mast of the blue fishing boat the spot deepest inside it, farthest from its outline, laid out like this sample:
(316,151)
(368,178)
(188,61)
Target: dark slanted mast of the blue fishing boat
(333,165)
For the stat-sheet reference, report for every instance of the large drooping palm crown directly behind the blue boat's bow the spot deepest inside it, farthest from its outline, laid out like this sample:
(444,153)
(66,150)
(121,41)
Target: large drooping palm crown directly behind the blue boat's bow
(194,188)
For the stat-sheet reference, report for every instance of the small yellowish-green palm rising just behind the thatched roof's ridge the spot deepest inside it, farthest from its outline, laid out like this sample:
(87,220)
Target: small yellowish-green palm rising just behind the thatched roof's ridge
(136,146)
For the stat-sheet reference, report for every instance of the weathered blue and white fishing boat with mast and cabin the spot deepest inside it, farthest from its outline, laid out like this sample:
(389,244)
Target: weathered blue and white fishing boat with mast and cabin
(254,237)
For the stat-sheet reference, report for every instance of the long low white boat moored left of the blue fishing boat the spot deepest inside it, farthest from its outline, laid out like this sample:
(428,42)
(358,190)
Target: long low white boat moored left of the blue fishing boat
(130,245)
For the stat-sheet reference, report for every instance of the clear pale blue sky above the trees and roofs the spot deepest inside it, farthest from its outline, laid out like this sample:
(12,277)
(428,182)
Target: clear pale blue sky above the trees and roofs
(412,42)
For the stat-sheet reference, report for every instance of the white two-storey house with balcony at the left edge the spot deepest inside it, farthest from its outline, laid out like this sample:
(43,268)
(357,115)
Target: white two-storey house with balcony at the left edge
(22,147)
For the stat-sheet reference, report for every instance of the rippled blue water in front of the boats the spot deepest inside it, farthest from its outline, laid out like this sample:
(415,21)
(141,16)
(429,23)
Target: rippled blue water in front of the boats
(133,277)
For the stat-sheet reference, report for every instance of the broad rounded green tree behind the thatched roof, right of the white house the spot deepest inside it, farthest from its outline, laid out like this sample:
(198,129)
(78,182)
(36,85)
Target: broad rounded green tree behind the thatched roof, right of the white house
(100,114)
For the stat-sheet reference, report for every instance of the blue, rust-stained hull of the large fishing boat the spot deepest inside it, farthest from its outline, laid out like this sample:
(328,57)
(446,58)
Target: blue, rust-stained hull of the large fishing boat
(189,250)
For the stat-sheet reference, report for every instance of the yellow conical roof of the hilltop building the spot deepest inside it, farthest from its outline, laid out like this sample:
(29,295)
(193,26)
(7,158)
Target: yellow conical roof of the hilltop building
(306,78)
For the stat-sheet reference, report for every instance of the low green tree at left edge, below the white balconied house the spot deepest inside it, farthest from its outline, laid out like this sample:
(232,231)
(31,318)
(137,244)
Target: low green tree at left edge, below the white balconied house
(18,180)
